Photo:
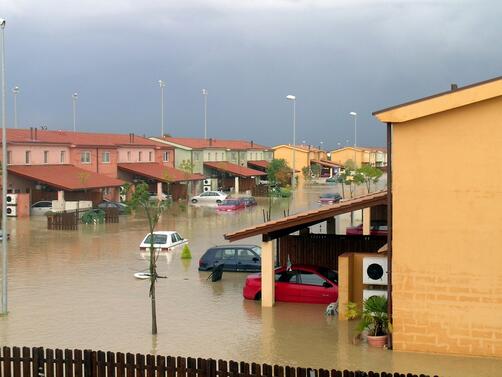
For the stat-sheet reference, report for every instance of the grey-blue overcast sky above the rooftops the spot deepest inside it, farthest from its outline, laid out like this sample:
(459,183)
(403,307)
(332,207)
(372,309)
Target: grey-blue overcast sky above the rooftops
(335,56)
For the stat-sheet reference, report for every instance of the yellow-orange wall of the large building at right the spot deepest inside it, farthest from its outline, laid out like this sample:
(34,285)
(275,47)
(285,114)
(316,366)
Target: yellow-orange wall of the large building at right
(447,231)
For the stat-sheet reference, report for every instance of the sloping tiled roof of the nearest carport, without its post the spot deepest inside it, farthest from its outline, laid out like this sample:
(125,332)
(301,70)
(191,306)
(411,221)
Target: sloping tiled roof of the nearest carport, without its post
(273,229)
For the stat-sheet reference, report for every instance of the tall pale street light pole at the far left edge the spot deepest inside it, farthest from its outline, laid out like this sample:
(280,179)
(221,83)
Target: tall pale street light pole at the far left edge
(4,172)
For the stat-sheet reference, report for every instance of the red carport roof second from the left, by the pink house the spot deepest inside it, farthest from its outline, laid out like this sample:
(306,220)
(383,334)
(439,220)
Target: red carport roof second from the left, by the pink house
(159,172)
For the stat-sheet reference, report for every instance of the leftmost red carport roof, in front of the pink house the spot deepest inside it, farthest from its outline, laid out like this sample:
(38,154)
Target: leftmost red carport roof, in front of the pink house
(65,177)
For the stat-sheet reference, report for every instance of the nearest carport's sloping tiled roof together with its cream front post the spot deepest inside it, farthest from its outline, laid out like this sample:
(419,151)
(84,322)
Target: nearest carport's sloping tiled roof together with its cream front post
(277,228)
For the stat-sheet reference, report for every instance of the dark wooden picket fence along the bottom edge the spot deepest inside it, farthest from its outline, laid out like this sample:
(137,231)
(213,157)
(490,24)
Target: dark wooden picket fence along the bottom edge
(40,362)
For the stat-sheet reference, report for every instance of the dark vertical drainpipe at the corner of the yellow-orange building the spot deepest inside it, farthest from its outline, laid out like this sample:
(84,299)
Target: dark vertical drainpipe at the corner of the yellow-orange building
(389,228)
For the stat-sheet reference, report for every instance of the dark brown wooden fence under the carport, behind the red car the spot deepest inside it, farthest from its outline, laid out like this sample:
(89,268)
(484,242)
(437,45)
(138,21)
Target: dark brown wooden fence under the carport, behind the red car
(324,249)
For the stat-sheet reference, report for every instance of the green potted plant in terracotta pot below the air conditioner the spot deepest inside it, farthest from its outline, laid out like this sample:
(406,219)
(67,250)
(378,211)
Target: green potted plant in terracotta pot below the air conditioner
(375,321)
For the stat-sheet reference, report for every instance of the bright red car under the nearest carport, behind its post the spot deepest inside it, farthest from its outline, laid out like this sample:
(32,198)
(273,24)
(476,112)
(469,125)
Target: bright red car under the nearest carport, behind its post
(300,283)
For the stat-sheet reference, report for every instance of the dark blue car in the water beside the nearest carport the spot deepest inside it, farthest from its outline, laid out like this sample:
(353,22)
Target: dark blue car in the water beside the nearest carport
(233,257)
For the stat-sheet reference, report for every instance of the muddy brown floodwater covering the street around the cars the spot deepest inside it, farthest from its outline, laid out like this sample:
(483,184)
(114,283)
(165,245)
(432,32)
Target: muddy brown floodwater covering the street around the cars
(75,289)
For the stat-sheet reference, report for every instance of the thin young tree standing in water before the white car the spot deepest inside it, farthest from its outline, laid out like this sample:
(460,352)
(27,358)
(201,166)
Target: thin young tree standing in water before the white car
(153,208)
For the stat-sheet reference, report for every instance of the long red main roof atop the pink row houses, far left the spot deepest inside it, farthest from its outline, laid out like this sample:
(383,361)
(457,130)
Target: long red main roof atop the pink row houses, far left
(78,138)
